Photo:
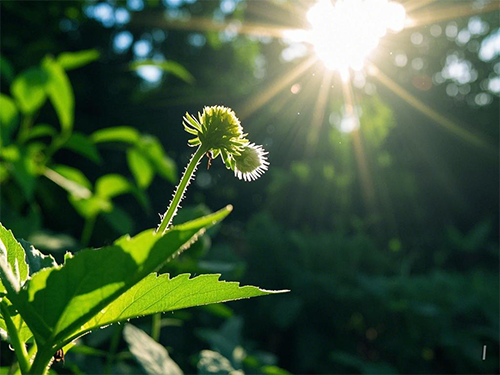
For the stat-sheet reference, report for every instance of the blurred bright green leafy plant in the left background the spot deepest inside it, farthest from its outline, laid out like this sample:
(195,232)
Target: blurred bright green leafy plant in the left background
(30,148)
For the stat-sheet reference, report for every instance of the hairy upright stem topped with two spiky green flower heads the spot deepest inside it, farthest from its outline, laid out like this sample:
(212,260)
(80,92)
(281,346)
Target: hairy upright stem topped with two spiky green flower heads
(217,131)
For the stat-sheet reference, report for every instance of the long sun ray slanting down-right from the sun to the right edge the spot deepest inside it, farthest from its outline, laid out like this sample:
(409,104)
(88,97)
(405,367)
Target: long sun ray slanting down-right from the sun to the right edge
(431,113)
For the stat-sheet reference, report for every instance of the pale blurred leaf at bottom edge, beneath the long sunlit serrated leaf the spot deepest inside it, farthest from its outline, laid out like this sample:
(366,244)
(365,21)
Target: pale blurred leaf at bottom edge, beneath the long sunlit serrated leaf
(152,356)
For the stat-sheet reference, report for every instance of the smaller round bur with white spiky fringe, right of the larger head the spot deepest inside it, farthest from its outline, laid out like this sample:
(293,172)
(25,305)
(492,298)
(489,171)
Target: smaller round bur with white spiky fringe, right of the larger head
(251,163)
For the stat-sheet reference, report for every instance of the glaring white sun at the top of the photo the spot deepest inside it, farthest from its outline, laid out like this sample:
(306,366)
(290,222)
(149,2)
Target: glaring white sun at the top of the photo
(343,34)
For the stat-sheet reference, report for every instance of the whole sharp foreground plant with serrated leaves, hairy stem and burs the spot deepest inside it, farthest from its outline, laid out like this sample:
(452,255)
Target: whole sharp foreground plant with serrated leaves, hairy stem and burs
(48,306)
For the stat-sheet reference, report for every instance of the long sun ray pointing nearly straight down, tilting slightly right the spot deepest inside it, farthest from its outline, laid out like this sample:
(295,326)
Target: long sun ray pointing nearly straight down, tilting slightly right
(359,152)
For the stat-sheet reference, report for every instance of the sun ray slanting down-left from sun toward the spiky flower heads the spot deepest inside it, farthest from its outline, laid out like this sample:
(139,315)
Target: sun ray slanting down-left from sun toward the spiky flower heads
(262,97)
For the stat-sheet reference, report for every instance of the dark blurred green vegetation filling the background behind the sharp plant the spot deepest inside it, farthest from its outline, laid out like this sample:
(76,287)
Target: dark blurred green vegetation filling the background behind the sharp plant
(403,282)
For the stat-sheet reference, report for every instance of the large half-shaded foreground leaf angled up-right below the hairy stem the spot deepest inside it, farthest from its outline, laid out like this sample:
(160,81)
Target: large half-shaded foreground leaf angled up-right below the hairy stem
(57,302)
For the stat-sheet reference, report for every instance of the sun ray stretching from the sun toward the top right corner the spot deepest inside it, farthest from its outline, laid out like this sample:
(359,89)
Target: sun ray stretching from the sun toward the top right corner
(444,13)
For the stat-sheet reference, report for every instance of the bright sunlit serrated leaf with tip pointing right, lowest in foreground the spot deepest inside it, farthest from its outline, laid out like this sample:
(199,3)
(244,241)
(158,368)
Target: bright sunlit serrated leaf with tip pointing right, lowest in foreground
(161,293)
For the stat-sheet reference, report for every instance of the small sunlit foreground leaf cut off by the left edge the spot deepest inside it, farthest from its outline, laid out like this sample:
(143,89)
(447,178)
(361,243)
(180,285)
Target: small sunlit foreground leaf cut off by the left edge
(13,257)
